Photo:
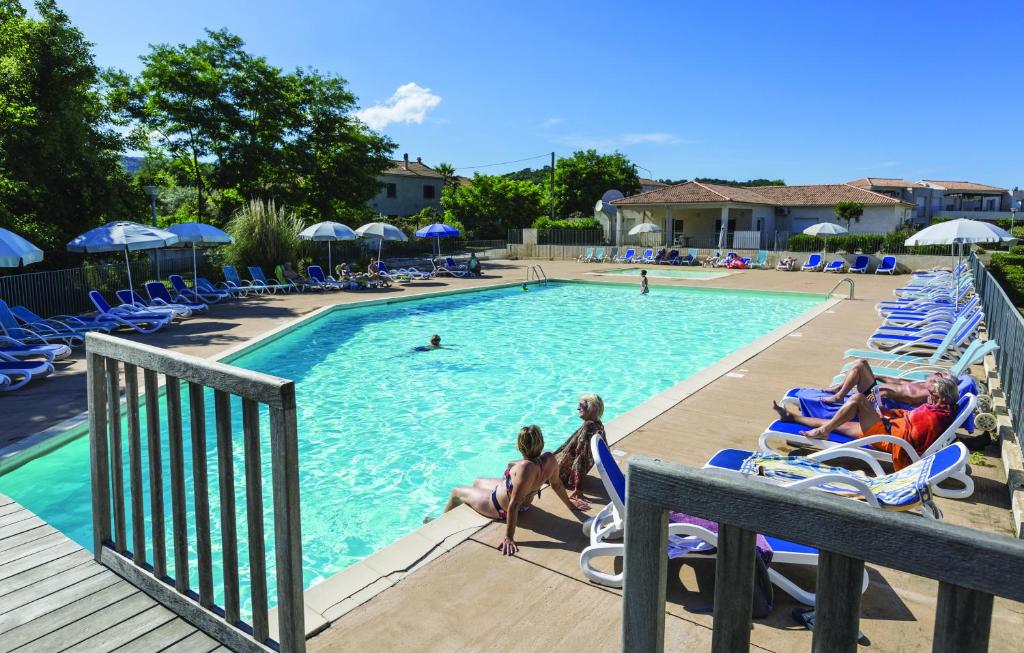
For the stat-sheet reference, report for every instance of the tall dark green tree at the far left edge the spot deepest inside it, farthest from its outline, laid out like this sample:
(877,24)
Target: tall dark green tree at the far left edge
(60,161)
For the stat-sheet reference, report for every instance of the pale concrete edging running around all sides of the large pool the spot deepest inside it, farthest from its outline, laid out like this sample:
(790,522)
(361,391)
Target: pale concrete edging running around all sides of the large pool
(331,599)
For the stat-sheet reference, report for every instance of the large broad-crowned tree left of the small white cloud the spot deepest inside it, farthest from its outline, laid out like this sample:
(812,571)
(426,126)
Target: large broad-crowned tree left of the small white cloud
(229,120)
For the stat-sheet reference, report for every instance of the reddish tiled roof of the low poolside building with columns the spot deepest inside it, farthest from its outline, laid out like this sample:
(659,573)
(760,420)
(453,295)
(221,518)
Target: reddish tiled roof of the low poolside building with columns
(814,196)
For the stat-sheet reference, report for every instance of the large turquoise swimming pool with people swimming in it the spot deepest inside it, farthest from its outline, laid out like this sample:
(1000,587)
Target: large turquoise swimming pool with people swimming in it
(385,432)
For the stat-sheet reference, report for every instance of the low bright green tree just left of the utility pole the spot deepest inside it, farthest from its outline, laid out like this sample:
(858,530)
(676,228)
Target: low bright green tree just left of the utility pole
(489,206)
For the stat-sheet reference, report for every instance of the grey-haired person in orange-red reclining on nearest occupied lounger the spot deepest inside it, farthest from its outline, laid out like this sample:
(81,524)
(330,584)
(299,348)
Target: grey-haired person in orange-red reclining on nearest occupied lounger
(921,427)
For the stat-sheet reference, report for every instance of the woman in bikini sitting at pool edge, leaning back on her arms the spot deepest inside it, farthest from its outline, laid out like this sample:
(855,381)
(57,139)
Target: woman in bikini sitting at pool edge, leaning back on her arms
(506,498)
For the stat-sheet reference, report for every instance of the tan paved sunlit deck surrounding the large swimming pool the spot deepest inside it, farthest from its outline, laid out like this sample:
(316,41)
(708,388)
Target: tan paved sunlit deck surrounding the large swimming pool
(467,597)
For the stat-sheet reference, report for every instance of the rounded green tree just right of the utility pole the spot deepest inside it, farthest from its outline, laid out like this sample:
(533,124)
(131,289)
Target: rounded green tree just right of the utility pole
(584,178)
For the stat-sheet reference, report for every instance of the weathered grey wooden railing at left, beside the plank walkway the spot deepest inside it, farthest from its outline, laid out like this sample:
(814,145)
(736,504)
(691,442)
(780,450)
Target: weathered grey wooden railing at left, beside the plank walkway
(107,358)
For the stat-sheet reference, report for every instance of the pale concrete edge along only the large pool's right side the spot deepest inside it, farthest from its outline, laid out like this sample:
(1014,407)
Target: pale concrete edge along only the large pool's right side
(333,598)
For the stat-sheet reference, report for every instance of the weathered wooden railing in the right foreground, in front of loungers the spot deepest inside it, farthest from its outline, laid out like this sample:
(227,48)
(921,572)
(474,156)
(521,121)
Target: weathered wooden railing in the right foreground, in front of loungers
(971,567)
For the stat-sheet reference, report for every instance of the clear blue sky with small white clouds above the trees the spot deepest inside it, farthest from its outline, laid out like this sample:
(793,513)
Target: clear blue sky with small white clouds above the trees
(809,93)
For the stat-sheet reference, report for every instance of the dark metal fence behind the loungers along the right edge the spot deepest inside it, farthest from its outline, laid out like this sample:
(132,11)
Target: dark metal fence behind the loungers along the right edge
(1006,326)
